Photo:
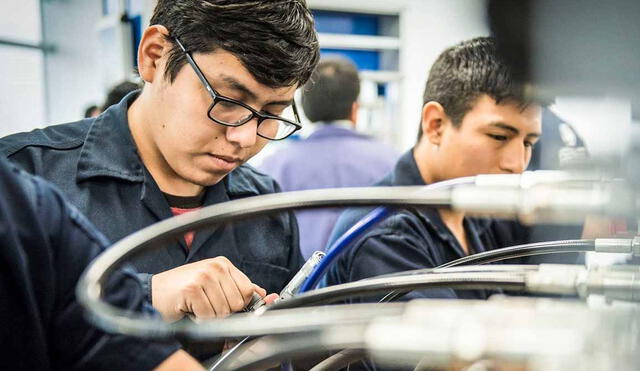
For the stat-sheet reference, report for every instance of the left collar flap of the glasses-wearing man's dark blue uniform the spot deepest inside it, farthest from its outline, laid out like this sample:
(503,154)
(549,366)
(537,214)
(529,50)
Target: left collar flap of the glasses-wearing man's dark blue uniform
(109,149)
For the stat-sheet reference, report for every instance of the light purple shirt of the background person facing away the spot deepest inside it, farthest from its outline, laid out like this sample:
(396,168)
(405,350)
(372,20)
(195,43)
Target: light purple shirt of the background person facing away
(331,157)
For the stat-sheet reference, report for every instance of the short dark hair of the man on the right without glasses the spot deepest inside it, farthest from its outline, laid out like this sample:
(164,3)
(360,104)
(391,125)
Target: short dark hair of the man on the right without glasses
(467,70)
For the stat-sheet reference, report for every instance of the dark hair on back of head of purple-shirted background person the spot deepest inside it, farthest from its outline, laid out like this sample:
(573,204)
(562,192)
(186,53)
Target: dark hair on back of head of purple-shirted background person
(330,93)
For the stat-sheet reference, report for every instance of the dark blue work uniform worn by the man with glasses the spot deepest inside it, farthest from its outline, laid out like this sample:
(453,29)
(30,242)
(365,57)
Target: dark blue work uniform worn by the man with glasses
(96,164)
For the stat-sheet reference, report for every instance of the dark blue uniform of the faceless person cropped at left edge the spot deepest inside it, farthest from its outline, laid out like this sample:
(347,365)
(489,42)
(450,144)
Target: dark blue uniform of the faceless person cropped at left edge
(45,244)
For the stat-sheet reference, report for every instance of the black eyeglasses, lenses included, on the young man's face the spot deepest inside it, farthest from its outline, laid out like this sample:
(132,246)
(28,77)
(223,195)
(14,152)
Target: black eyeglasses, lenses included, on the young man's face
(230,112)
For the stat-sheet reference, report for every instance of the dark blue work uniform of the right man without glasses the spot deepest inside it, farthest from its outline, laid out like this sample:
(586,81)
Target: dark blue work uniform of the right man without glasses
(415,238)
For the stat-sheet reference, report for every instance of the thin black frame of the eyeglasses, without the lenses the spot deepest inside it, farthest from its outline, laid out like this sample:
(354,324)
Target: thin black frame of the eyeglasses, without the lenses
(217,97)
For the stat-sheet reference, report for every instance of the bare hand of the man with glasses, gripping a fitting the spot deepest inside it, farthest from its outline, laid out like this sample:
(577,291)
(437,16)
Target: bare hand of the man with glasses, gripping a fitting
(208,289)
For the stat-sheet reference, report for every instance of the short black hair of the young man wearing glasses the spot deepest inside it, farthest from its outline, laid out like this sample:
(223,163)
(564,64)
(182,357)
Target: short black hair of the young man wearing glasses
(274,39)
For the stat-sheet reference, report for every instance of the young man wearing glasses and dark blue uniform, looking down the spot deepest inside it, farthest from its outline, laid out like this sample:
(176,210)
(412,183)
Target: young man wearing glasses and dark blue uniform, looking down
(219,80)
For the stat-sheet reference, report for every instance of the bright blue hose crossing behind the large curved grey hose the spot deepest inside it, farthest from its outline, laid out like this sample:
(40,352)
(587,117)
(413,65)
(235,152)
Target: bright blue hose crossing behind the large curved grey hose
(374,217)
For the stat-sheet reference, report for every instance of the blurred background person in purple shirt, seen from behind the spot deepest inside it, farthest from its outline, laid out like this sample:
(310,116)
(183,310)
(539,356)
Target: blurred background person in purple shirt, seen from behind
(335,155)
